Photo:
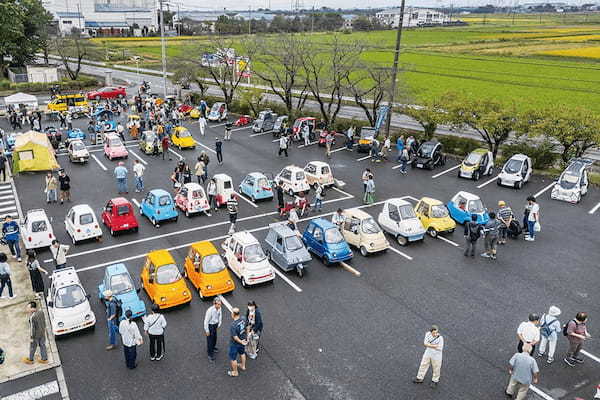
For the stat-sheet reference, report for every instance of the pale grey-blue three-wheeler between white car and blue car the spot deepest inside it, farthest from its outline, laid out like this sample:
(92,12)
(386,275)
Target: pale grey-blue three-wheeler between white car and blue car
(284,247)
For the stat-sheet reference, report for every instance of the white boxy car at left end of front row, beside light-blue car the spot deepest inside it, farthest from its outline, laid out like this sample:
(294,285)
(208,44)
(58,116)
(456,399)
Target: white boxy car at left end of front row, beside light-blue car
(68,303)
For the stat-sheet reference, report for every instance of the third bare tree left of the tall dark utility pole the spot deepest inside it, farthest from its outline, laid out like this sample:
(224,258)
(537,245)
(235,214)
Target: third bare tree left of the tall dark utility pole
(279,64)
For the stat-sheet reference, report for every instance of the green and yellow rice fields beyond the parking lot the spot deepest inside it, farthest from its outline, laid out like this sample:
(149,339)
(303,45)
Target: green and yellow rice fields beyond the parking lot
(533,62)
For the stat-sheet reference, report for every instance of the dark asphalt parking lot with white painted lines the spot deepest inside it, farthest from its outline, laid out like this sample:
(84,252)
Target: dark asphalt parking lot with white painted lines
(350,331)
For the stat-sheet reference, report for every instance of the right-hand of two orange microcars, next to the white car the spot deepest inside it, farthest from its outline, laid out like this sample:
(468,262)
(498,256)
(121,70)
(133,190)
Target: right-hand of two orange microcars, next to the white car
(206,271)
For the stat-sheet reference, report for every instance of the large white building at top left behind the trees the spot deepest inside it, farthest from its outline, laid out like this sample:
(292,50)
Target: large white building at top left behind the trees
(104,17)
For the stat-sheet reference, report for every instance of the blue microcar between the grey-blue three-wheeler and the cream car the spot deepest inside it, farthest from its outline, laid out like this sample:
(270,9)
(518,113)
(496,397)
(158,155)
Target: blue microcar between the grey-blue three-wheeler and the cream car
(324,239)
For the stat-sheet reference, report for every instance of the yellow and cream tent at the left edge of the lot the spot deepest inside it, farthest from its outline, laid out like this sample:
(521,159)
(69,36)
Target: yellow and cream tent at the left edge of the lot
(33,152)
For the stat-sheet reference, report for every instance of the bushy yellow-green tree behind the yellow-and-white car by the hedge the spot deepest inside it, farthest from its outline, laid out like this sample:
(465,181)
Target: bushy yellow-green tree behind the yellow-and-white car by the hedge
(493,120)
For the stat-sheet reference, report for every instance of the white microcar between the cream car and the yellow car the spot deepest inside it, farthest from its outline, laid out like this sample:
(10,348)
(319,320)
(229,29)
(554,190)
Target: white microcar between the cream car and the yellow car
(398,218)
